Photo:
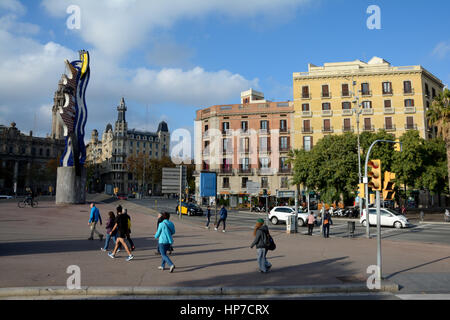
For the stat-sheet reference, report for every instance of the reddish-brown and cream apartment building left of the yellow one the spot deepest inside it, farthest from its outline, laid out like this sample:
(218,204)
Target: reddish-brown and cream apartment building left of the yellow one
(246,142)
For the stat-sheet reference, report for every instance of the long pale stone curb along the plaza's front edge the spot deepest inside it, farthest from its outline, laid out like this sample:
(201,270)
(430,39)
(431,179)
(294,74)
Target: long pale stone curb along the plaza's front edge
(386,286)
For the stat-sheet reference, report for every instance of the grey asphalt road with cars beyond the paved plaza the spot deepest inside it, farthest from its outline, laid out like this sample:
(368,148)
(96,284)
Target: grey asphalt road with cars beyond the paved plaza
(426,233)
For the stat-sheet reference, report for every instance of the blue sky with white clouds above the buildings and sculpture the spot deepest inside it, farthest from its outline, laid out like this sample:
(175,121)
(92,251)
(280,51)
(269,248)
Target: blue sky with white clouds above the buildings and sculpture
(169,58)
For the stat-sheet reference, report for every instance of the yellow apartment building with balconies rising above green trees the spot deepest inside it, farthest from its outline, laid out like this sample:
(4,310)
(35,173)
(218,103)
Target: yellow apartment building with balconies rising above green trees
(349,96)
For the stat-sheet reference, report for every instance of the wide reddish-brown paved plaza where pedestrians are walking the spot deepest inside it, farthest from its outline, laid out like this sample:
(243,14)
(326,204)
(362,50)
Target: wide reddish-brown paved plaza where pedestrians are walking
(37,245)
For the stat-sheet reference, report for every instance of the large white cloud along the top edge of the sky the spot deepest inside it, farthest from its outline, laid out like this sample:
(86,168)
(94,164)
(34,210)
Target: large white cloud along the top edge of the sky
(115,27)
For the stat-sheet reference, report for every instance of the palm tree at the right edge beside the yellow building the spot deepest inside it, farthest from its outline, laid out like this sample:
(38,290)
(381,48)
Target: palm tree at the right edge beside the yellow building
(439,116)
